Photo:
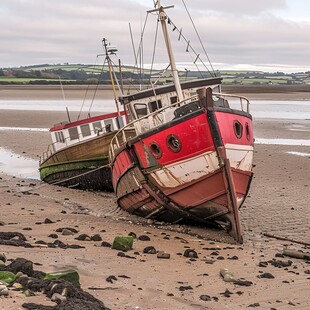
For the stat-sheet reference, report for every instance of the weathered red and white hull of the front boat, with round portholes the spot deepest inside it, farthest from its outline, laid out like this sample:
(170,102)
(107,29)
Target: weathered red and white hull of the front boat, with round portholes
(204,177)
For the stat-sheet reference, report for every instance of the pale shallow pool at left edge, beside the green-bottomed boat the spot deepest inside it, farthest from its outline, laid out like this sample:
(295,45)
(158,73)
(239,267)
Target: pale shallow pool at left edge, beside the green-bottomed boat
(17,165)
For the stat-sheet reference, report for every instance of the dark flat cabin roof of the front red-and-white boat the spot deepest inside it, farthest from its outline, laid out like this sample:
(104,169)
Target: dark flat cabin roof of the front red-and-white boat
(169,88)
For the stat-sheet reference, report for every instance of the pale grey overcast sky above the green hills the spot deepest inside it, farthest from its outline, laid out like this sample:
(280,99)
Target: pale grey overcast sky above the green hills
(266,34)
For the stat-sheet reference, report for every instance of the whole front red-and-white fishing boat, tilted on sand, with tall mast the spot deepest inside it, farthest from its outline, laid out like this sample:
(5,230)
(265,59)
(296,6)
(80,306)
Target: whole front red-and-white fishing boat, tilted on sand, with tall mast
(191,157)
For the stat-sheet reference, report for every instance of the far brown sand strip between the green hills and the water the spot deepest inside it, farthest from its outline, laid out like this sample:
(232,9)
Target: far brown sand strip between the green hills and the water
(54,92)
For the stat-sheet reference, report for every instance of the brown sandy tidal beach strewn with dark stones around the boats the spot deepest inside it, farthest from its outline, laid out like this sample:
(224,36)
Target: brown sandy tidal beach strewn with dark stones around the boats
(278,204)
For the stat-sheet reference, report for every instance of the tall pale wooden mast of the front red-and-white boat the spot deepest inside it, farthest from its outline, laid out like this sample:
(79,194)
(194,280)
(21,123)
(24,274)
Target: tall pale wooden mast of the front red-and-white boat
(176,80)
